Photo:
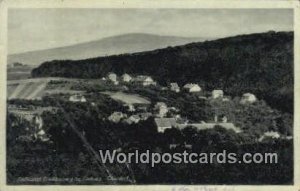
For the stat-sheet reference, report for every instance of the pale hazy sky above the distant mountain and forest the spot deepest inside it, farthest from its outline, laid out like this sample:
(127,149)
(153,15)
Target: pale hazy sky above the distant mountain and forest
(36,29)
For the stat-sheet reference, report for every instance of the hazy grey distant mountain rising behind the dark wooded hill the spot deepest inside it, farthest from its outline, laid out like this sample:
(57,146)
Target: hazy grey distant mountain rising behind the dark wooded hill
(127,43)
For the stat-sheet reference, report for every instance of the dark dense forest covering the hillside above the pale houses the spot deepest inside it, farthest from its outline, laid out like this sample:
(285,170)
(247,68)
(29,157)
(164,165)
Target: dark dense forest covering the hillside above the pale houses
(259,63)
